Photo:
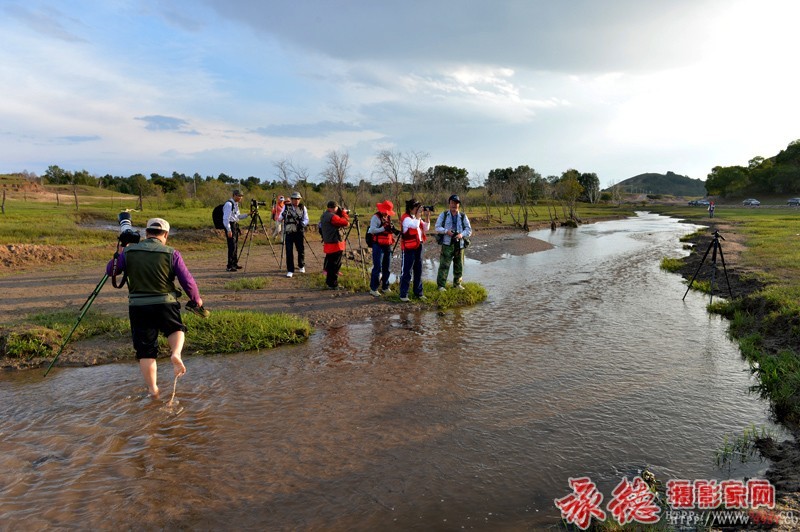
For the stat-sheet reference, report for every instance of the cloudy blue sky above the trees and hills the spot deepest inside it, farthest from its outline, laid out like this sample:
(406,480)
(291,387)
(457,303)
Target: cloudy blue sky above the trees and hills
(614,87)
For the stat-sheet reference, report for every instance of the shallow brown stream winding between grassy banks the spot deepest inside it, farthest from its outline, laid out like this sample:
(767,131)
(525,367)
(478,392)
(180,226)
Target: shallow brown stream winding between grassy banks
(584,361)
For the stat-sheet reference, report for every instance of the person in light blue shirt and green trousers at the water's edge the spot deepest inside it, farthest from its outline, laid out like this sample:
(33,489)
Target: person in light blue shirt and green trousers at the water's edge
(454,229)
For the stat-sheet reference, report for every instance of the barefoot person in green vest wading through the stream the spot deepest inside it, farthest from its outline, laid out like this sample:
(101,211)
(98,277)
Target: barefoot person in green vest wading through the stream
(151,268)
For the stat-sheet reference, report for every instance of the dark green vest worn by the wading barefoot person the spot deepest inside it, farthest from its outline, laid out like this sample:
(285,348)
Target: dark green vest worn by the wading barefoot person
(151,277)
